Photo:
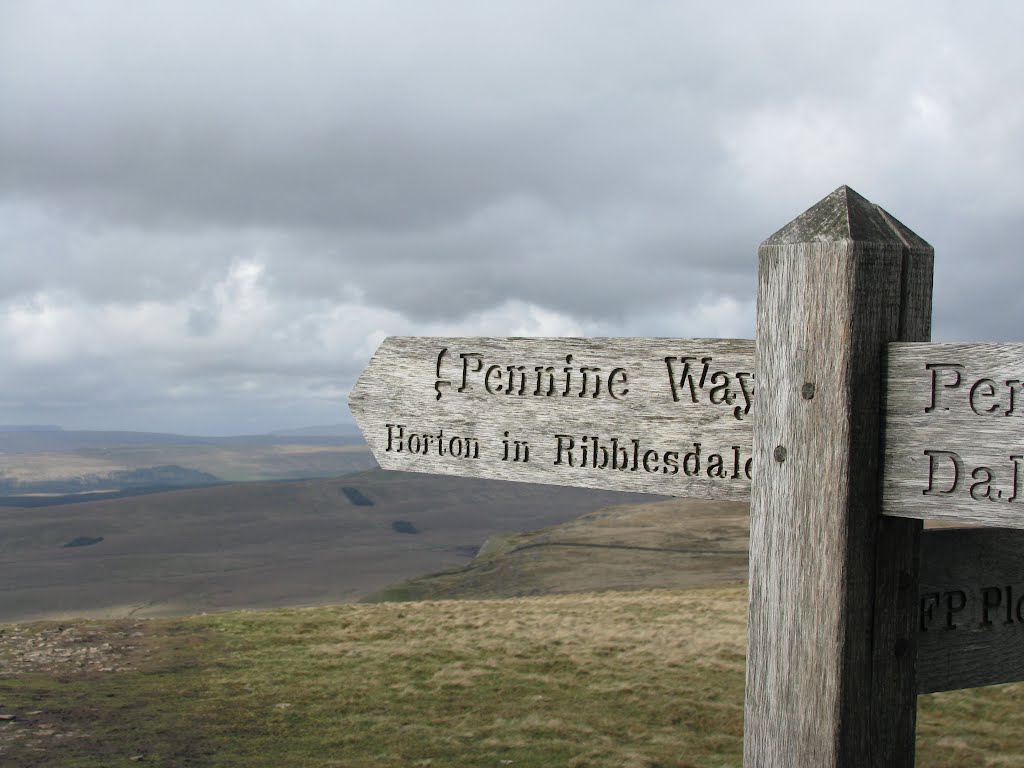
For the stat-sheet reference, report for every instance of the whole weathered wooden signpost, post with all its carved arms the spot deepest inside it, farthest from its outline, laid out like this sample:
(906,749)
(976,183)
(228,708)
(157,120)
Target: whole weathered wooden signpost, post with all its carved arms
(839,455)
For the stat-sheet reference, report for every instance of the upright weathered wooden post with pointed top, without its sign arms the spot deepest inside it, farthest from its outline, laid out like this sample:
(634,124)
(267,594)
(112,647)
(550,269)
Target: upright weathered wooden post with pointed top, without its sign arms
(832,289)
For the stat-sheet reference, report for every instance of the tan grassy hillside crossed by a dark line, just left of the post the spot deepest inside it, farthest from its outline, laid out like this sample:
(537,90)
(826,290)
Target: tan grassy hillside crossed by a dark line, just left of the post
(680,543)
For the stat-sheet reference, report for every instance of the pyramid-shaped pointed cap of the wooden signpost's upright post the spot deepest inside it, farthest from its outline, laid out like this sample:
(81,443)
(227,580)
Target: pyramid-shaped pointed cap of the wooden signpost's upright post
(845,216)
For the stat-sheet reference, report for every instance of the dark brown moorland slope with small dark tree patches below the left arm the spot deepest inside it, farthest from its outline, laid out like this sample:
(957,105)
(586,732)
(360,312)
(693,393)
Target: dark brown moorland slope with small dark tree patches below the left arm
(262,544)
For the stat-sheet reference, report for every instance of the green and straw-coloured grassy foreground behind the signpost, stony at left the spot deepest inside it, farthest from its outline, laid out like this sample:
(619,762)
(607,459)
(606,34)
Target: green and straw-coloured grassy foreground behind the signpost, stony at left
(638,679)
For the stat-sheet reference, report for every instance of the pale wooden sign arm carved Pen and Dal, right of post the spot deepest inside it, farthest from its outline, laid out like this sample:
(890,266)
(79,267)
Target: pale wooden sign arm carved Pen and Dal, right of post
(955,433)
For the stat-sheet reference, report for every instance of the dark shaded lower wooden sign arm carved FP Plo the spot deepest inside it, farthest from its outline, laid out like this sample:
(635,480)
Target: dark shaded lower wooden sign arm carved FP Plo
(971,609)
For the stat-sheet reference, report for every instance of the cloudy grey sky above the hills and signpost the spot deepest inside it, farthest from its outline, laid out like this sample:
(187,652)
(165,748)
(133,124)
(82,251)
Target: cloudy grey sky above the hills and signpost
(211,214)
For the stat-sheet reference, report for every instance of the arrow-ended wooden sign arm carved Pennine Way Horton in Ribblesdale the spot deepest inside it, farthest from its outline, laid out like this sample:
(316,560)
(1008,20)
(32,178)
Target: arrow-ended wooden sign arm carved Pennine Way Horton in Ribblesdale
(658,416)
